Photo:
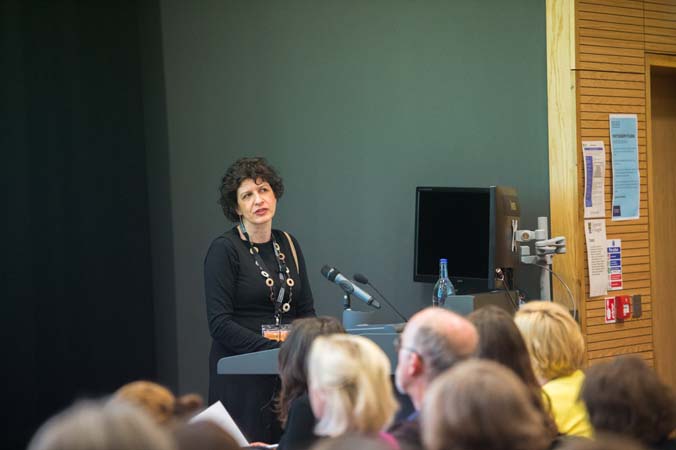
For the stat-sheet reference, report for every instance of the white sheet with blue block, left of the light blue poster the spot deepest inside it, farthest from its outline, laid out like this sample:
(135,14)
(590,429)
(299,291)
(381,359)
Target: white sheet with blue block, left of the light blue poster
(594,157)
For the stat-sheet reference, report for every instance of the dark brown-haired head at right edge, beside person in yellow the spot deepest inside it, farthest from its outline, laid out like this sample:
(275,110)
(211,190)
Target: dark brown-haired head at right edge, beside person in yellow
(626,397)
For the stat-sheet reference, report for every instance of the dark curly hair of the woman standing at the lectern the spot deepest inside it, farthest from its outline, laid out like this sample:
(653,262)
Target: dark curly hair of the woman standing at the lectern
(255,168)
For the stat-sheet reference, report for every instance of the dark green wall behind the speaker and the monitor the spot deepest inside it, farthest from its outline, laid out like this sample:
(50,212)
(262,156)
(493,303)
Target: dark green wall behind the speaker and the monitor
(356,103)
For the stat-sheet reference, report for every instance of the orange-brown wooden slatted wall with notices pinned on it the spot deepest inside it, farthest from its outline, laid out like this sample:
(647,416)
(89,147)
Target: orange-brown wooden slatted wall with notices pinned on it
(612,38)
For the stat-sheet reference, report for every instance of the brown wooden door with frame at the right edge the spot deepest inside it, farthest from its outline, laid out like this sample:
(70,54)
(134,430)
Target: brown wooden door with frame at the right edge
(661,94)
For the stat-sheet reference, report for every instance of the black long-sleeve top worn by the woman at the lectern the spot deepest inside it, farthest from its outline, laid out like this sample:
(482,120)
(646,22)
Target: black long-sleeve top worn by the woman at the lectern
(238,301)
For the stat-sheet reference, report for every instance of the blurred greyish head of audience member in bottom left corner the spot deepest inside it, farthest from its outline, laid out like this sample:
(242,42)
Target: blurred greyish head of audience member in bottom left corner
(91,425)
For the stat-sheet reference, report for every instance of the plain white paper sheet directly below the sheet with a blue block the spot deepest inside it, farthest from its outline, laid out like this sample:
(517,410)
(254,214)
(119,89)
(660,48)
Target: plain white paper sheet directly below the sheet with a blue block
(597,256)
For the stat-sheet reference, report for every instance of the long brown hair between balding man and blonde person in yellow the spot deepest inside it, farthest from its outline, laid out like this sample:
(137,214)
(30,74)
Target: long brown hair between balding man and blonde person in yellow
(501,341)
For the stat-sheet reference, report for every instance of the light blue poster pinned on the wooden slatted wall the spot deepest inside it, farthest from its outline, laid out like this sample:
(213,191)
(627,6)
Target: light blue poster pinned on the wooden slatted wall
(626,176)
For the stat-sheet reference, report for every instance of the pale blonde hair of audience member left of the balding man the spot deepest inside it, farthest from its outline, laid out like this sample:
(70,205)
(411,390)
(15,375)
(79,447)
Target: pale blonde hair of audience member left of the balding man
(354,375)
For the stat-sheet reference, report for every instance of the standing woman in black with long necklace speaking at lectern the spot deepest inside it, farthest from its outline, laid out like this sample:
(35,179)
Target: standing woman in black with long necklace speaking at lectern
(255,278)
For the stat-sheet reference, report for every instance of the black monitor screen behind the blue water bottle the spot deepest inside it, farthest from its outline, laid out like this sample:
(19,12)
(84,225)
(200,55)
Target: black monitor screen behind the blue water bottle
(457,224)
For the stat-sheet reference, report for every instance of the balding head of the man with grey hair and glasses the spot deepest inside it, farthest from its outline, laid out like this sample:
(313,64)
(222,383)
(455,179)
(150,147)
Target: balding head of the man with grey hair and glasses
(433,340)
